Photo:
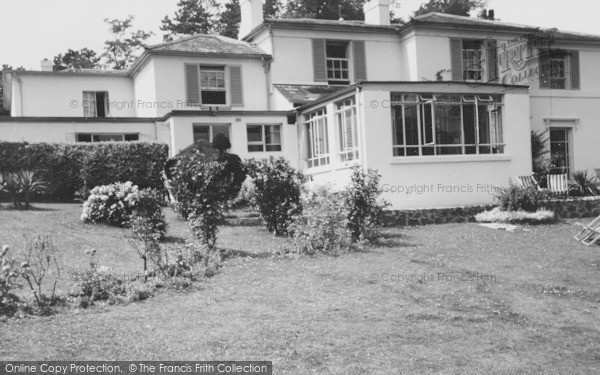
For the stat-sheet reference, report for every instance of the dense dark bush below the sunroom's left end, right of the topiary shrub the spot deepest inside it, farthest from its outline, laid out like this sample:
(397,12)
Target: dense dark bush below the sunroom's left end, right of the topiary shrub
(277,192)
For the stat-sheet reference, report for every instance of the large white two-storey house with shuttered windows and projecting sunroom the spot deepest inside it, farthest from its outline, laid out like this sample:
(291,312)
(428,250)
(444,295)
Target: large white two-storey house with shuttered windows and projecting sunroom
(442,106)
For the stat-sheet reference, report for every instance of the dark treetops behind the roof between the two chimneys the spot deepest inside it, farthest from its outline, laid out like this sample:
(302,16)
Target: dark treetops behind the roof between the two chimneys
(324,9)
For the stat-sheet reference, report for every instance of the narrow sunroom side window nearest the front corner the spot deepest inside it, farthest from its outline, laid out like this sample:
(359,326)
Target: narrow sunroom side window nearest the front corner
(348,130)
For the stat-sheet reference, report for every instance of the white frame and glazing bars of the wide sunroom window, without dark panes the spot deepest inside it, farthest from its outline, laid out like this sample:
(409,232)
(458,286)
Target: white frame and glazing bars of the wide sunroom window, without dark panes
(493,144)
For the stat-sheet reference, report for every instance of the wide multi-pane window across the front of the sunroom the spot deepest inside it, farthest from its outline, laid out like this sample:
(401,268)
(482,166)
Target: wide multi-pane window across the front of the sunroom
(445,124)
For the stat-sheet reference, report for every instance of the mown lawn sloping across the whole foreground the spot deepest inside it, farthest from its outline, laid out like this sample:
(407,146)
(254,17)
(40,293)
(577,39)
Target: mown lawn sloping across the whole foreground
(537,312)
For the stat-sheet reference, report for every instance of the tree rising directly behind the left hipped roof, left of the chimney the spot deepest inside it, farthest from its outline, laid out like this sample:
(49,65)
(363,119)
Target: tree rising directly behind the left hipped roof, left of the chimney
(192,17)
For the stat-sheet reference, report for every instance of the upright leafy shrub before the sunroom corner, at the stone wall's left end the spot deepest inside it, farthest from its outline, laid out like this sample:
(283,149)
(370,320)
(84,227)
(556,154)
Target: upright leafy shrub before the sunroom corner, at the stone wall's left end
(365,213)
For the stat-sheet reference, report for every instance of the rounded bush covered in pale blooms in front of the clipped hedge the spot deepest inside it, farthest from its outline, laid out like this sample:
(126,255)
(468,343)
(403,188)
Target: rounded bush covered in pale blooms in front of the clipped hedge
(111,204)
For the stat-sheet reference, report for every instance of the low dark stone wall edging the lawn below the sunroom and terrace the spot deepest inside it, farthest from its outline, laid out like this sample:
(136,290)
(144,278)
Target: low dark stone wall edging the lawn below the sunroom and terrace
(563,209)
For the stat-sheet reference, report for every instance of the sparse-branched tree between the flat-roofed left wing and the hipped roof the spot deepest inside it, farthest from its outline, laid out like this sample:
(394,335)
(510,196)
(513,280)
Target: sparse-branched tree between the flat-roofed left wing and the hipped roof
(121,52)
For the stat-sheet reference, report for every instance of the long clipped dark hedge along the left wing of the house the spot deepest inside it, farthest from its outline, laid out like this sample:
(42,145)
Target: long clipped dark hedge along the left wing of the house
(72,168)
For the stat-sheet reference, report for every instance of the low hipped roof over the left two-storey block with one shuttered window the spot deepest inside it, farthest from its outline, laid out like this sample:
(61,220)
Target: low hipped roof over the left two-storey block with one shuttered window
(208,45)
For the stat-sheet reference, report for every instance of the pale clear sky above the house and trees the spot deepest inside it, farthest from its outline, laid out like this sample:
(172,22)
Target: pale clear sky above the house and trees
(31,30)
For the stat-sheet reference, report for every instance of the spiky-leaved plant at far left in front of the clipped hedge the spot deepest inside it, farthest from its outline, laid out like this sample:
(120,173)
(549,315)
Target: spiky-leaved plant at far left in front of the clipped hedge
(20,186)
